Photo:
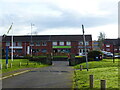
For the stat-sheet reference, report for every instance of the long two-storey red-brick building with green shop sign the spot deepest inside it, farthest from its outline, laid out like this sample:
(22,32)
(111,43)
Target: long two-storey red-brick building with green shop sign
(43,44)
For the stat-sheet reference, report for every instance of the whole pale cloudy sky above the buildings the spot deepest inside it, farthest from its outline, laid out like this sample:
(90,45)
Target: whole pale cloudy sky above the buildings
(59,17)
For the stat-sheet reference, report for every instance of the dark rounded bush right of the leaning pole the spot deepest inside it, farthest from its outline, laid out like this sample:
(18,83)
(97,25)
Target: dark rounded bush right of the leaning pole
(93,54)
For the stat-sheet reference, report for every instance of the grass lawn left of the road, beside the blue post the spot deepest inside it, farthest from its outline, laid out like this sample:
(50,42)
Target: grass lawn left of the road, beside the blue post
(15,64)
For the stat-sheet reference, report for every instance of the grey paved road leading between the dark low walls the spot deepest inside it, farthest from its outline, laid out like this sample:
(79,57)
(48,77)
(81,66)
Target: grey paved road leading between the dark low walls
(59,75)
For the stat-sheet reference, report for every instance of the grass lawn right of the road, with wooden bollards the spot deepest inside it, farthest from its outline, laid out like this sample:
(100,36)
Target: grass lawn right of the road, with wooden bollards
(104,69)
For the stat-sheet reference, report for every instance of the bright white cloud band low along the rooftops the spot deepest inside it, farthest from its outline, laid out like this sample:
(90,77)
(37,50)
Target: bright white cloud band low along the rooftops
(110,30)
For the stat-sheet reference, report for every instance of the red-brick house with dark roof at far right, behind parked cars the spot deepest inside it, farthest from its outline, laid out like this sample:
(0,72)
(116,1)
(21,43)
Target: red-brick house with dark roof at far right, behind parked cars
(111,45)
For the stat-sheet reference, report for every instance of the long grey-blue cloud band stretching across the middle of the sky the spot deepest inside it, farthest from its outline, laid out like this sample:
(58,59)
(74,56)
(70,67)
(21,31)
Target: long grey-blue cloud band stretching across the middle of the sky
(69,19)
